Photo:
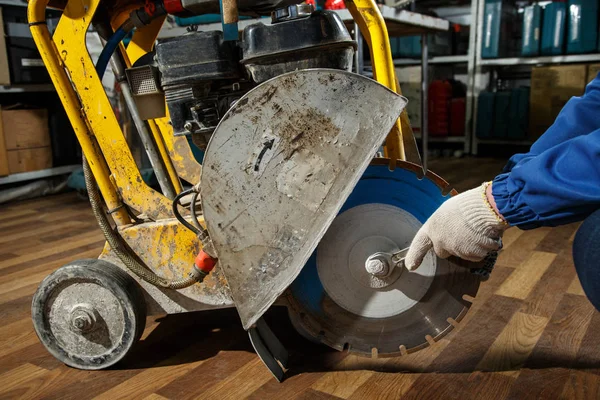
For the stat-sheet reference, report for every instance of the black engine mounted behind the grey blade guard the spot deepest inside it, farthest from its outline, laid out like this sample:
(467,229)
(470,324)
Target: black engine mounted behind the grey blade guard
(202,75)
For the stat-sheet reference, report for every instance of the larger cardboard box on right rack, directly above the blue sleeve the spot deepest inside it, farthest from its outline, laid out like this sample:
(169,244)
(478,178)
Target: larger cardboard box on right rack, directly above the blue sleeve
(551,88)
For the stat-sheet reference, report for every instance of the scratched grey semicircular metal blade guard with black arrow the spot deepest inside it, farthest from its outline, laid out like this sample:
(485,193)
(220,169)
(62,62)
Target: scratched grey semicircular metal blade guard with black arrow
(279,167)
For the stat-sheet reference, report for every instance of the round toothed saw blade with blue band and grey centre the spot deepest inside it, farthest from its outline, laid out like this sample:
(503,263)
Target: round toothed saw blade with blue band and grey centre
(330,302)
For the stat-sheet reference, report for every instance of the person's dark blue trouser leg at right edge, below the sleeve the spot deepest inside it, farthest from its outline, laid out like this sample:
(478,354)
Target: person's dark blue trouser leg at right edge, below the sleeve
(586,256)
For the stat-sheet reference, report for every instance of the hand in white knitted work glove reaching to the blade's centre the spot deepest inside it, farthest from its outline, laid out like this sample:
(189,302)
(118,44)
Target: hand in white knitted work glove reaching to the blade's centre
(466,226)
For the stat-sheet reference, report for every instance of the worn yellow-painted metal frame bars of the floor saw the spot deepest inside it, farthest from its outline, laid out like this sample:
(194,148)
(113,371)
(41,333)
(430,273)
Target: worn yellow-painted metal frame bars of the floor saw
(71,69)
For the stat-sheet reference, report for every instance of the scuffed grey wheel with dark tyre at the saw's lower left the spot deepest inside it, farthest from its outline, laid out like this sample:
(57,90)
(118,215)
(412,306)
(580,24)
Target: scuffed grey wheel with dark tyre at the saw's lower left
(89,314)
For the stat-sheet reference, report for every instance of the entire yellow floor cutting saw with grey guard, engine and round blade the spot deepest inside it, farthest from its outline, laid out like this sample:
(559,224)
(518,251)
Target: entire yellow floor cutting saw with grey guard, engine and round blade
(292,203)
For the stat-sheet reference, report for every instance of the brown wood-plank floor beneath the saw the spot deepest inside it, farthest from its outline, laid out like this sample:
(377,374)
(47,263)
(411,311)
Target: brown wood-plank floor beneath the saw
(531,333)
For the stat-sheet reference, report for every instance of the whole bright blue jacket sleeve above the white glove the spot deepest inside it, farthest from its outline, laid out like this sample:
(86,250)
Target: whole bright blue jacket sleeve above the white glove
(558,181)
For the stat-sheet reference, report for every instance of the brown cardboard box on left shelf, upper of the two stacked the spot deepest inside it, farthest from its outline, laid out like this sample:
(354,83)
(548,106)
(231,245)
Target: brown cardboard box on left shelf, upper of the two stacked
(25,129)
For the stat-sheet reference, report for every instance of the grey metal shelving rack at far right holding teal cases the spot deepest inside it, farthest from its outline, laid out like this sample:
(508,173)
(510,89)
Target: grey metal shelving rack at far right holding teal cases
(482,65)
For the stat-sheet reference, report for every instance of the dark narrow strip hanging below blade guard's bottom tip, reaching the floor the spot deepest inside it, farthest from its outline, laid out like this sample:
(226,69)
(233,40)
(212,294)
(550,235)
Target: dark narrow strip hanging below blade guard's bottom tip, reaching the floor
(269,349)
